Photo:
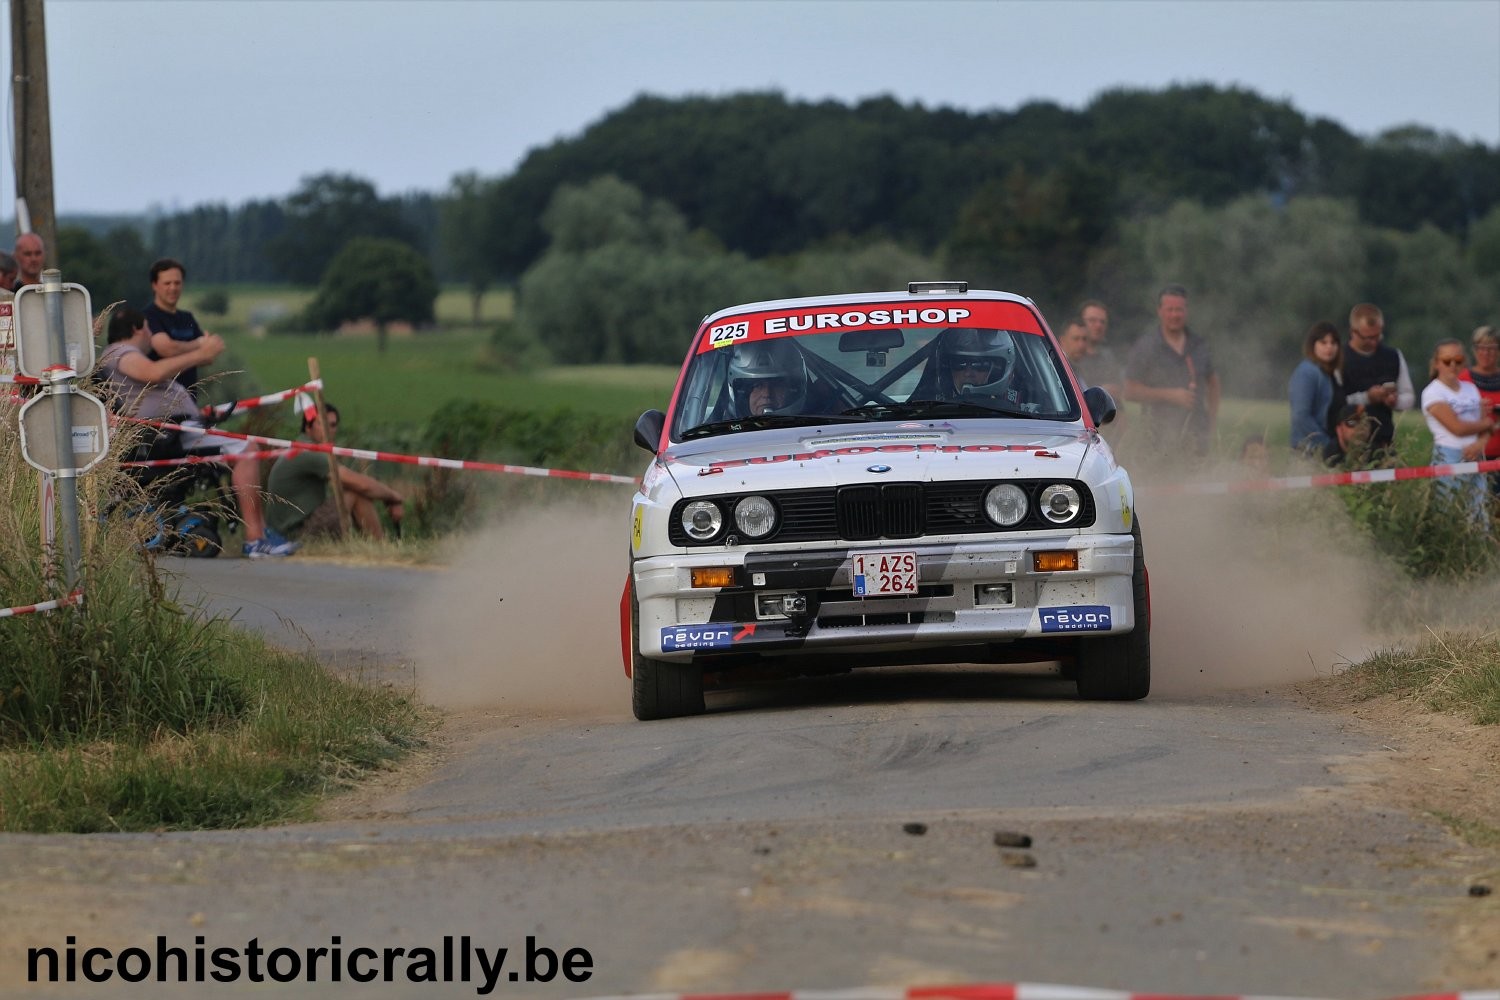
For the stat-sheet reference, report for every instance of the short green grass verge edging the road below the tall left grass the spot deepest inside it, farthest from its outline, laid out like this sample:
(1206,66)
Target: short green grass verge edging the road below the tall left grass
(299,734)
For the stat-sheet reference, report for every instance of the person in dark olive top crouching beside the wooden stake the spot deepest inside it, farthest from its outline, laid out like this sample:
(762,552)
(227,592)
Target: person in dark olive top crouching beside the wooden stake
(301,506)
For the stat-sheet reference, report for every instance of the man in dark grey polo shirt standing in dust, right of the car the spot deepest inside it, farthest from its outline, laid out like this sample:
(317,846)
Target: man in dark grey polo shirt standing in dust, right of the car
(1172,374)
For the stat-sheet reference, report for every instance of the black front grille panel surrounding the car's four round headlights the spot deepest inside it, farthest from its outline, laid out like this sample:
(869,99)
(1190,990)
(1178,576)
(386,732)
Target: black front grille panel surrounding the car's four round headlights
(887,510)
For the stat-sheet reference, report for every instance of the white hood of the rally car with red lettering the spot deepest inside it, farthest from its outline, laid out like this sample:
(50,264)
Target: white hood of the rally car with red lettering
(803,458)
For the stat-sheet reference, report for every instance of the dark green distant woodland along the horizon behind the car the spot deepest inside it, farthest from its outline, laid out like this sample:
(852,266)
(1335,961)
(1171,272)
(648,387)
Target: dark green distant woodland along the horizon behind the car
(620,239)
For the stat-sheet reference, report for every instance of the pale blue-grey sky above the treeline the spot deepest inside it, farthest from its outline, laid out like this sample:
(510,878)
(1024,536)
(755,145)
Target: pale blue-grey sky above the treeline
(236,100)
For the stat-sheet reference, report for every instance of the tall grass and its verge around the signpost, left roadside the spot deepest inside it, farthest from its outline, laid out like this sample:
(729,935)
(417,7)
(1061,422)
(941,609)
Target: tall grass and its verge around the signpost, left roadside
(137,713)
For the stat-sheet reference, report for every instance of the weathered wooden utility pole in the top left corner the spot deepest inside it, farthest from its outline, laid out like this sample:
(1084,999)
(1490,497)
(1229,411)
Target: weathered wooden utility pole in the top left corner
(34,125)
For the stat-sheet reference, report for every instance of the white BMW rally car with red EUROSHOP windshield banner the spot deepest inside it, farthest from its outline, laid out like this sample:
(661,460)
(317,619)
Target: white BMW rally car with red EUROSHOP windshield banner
(881,479)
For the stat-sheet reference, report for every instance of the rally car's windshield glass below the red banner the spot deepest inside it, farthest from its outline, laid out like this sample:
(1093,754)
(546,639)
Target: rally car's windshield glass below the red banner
(877,374)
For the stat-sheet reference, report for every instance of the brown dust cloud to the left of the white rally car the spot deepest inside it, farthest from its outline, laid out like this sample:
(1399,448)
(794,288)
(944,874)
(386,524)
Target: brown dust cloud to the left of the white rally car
(529,617)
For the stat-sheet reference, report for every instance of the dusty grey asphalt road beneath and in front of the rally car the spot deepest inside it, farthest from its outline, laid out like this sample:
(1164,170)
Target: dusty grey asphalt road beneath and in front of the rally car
(823,836)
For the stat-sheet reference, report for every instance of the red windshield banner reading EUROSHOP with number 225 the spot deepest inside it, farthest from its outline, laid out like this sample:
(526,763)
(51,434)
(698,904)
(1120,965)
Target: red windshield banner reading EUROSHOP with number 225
(814,320)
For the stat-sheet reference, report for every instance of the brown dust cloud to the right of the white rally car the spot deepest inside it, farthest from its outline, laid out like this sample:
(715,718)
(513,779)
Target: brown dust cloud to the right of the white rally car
(1252,591)
